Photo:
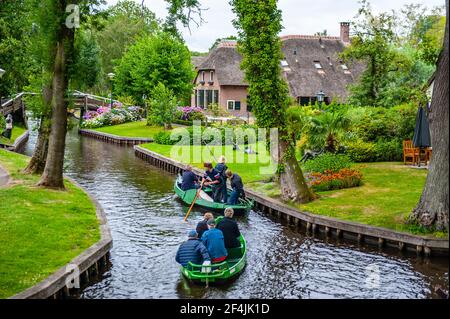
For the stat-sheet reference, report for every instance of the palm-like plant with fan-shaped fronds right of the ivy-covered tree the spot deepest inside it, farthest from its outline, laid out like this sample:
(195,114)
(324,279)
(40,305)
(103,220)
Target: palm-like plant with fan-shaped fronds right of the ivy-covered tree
(327,129)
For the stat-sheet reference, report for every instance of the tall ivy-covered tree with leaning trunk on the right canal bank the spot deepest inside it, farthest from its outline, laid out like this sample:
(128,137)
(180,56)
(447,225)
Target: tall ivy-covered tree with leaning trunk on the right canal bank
(258,24)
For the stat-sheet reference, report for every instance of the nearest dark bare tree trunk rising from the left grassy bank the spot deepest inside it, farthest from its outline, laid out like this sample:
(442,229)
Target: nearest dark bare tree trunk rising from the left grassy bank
(53,172)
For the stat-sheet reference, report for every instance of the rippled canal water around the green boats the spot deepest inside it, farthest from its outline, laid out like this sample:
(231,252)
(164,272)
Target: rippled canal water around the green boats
(146,225)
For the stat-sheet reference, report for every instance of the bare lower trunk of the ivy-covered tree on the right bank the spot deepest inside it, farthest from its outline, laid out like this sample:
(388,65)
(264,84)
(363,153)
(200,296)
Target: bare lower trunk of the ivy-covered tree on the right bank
(292,182)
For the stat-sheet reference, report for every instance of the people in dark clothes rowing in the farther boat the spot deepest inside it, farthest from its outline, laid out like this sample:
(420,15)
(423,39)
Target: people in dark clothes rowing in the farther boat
(216,178)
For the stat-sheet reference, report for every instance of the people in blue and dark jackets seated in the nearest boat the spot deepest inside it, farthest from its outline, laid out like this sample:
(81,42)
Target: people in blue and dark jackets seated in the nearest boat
(209,242)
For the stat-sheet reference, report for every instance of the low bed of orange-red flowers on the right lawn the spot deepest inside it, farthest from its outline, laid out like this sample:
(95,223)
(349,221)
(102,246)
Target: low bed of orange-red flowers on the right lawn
(344,178)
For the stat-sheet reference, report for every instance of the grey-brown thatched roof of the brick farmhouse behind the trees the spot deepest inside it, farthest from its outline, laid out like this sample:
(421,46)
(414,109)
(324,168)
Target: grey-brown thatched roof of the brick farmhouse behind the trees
(300,52)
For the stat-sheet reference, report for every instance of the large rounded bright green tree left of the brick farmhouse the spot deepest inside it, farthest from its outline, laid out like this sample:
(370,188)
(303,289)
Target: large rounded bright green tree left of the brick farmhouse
(159,58)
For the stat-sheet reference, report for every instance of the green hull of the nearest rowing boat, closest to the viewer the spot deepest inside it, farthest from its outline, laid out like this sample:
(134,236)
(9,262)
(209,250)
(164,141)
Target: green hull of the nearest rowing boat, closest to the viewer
(221,272)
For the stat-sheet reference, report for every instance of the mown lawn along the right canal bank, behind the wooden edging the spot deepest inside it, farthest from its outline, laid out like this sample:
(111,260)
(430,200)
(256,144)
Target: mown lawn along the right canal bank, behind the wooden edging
(389,192)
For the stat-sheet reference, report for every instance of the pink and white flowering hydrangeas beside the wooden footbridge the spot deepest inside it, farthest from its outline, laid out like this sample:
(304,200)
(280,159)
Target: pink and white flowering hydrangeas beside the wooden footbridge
(104,116)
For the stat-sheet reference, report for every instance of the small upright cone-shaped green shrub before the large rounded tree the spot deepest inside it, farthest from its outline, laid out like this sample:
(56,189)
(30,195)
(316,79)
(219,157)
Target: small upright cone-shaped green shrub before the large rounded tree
(162,107)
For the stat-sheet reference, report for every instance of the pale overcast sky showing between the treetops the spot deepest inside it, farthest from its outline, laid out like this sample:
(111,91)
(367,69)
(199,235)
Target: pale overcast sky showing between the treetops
(299,17)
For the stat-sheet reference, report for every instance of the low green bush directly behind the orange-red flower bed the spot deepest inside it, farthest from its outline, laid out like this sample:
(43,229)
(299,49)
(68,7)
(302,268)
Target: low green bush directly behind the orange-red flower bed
(328,162)
